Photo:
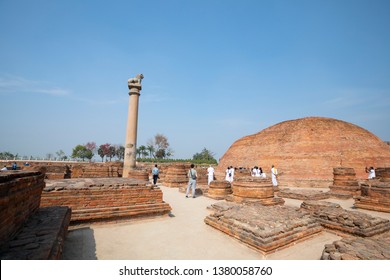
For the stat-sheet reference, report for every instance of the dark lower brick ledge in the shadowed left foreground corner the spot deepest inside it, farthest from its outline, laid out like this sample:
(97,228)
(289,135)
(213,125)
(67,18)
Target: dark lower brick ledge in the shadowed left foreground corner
(42,236)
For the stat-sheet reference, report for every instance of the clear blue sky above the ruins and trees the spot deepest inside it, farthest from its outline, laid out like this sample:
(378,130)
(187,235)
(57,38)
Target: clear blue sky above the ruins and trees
(215,70)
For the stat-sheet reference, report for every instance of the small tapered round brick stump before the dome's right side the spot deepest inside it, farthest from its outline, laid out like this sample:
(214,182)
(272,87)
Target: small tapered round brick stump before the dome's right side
(345,184)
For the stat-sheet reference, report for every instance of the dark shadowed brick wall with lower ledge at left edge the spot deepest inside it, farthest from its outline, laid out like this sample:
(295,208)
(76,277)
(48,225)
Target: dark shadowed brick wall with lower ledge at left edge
(27,231)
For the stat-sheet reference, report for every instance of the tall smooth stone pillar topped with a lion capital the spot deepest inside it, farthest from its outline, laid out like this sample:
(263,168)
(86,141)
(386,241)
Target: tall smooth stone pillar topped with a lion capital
(132,122)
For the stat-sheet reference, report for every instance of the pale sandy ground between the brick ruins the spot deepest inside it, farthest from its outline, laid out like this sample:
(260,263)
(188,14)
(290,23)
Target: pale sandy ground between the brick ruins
(183,235)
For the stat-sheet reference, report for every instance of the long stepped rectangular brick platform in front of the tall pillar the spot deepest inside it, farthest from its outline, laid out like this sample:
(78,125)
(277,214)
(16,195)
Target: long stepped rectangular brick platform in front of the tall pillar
(105,198)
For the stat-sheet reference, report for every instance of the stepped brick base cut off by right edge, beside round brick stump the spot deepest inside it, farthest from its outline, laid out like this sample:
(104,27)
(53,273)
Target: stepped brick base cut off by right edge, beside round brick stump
(375,195)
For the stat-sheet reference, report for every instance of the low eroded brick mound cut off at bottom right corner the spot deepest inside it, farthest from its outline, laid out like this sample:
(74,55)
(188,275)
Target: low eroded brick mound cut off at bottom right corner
(356,248)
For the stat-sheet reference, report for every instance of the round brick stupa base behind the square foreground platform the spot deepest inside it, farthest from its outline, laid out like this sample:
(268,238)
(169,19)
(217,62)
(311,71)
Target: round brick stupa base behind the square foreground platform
(254,189)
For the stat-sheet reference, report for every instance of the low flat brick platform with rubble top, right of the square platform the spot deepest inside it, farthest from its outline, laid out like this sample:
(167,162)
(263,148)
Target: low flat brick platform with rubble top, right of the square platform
(333,217)
